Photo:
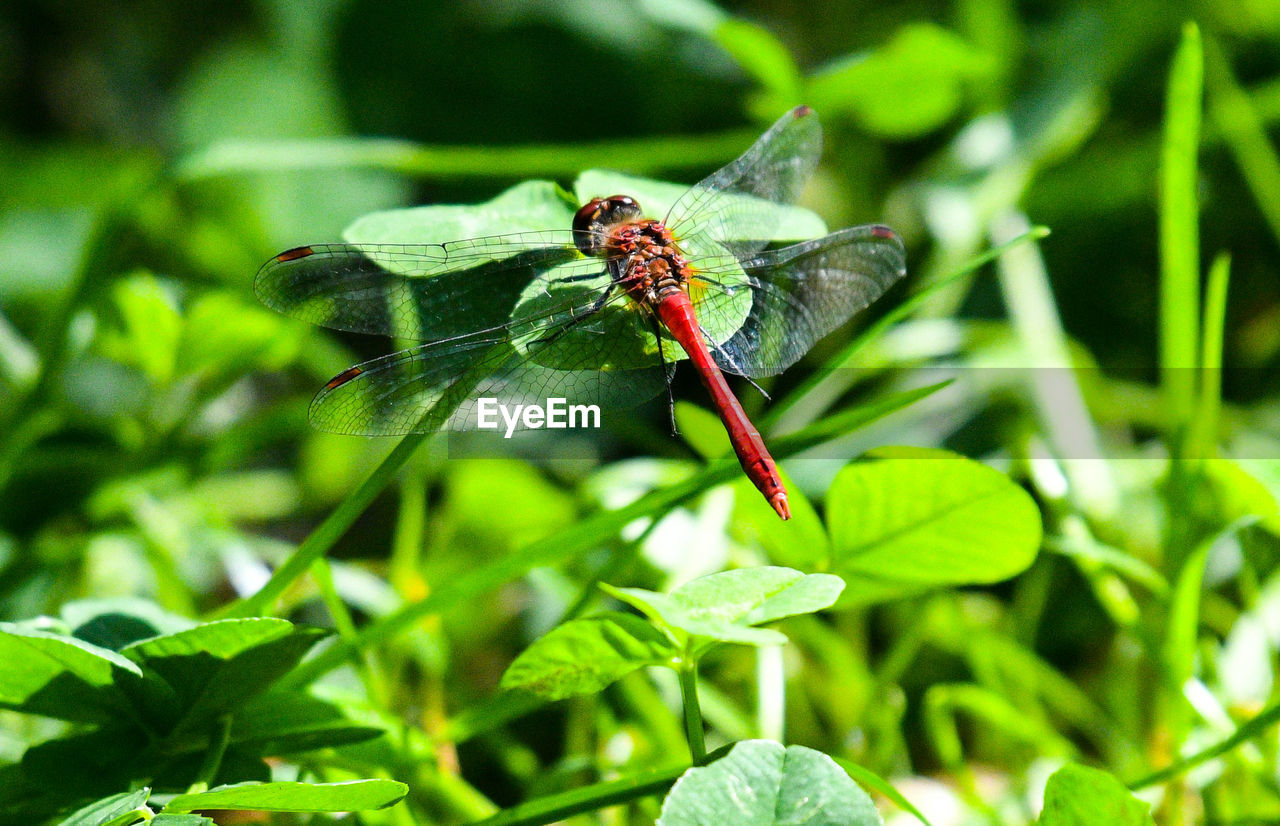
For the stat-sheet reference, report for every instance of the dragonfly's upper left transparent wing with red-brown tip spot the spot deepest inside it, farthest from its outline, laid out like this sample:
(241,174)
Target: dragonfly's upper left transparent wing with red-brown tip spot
(417,291)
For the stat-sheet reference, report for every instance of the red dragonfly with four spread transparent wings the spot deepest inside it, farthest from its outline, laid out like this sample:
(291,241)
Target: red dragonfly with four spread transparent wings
(600,312)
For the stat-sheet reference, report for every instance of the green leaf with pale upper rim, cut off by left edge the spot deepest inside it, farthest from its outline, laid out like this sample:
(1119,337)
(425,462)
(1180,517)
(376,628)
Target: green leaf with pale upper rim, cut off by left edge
(62,677)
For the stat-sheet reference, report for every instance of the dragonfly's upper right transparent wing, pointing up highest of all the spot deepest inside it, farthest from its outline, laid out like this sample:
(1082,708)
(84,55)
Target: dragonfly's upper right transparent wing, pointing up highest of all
(738,206)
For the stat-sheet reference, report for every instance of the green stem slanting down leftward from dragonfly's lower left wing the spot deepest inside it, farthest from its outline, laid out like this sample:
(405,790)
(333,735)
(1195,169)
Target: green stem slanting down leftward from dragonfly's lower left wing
(328,533)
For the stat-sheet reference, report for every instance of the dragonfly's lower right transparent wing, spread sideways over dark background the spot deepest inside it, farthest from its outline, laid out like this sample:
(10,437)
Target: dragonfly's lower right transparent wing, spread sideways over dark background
(799,295)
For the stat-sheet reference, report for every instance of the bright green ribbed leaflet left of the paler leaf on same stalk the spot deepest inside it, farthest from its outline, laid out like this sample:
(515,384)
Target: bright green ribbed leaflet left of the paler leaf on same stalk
(584,656)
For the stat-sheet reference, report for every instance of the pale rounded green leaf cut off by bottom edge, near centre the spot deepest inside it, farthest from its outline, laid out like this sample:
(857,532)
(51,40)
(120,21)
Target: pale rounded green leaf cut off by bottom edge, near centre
(761,784)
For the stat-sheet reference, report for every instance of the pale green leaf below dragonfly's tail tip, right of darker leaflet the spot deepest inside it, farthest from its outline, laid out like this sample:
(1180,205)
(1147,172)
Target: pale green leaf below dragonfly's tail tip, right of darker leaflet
(724,606)
